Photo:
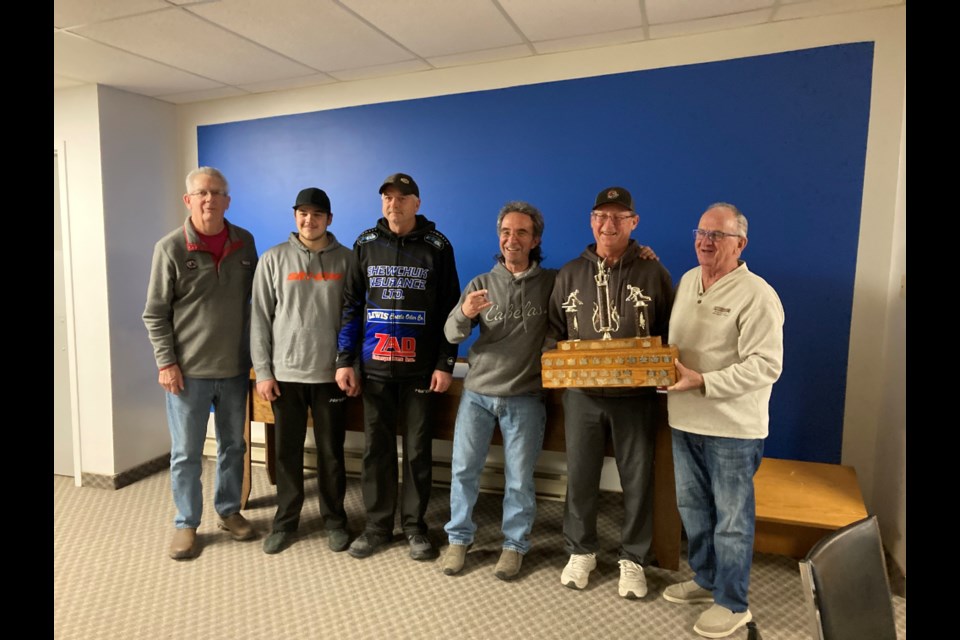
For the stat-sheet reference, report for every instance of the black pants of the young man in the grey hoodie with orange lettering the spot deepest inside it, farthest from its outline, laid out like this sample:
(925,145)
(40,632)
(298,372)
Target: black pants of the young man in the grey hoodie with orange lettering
(327,405)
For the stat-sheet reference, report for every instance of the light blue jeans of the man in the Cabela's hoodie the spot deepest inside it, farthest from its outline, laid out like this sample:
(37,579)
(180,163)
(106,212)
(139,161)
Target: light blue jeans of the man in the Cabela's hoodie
(522,420)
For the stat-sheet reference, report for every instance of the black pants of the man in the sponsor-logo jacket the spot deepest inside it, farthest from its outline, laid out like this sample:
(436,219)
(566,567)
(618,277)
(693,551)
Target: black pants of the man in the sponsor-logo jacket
(385,406)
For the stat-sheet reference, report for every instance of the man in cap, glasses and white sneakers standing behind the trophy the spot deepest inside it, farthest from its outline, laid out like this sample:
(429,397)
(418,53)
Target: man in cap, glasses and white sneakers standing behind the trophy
(629,413)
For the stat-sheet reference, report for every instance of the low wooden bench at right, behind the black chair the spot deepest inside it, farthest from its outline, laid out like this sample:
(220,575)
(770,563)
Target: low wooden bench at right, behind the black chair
(800,502)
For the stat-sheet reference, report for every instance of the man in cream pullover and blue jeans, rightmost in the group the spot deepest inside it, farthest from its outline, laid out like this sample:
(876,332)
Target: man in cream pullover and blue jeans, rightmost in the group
(728,325)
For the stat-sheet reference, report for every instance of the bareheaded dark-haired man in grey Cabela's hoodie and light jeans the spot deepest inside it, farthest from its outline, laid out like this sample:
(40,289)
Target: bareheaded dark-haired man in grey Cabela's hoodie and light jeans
(502,386)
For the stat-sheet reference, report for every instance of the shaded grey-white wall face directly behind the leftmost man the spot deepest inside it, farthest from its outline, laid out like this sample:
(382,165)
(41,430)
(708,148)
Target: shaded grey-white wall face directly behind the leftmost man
(142,187)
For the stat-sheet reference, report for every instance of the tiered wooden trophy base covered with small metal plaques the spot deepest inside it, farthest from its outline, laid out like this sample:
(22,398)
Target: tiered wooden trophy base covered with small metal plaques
(620,362)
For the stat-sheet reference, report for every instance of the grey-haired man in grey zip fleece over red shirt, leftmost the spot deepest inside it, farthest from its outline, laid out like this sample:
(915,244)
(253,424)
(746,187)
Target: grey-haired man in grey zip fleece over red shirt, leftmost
(198,318)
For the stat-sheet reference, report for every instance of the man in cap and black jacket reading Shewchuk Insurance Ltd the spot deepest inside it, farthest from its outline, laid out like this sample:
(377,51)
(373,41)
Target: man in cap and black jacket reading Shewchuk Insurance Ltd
(394,307)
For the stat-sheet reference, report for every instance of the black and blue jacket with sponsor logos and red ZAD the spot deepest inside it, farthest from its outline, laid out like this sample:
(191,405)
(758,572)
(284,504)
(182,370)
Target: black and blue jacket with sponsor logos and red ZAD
(396,301)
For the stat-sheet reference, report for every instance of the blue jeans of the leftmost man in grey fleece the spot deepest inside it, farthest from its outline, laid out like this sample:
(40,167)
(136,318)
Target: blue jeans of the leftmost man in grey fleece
(187,416)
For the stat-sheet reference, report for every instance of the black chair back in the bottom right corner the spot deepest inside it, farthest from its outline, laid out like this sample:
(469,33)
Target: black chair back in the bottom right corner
(845,581)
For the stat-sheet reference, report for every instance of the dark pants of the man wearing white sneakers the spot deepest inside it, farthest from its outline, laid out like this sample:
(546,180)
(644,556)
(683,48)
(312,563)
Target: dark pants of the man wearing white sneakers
(632,429)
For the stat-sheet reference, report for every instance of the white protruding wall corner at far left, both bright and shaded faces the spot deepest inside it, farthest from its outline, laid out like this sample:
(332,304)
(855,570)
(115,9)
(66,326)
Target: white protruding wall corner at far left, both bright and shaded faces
(120,161)
